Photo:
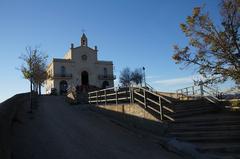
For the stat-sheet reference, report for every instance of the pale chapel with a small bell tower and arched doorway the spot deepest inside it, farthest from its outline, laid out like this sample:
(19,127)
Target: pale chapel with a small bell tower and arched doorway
(80,68)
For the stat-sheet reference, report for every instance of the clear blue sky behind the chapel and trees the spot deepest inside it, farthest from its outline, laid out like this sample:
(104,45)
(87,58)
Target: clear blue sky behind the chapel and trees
(132,33)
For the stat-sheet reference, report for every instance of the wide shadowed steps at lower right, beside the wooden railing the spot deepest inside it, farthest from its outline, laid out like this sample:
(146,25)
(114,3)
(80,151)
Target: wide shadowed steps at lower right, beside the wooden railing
(211,127)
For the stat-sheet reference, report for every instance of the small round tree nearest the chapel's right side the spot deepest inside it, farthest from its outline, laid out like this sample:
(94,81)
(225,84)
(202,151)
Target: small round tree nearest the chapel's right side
(125,77)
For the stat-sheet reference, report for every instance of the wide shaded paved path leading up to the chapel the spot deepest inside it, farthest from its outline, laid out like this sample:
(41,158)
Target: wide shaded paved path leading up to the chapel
(57,130)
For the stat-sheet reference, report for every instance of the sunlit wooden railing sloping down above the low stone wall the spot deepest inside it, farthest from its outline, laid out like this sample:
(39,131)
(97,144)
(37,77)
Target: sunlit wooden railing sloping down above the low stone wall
(156,103)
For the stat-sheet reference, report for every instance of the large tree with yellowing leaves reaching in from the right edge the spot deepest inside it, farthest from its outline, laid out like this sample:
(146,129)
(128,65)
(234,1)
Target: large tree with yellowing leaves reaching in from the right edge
(213,49)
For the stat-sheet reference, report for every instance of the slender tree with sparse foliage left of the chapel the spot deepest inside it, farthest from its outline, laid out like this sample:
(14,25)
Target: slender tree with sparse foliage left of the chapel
(34,67)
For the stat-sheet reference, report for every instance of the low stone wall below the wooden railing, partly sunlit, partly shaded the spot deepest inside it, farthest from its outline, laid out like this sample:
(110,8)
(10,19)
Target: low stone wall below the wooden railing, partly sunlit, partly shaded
(133,116)
